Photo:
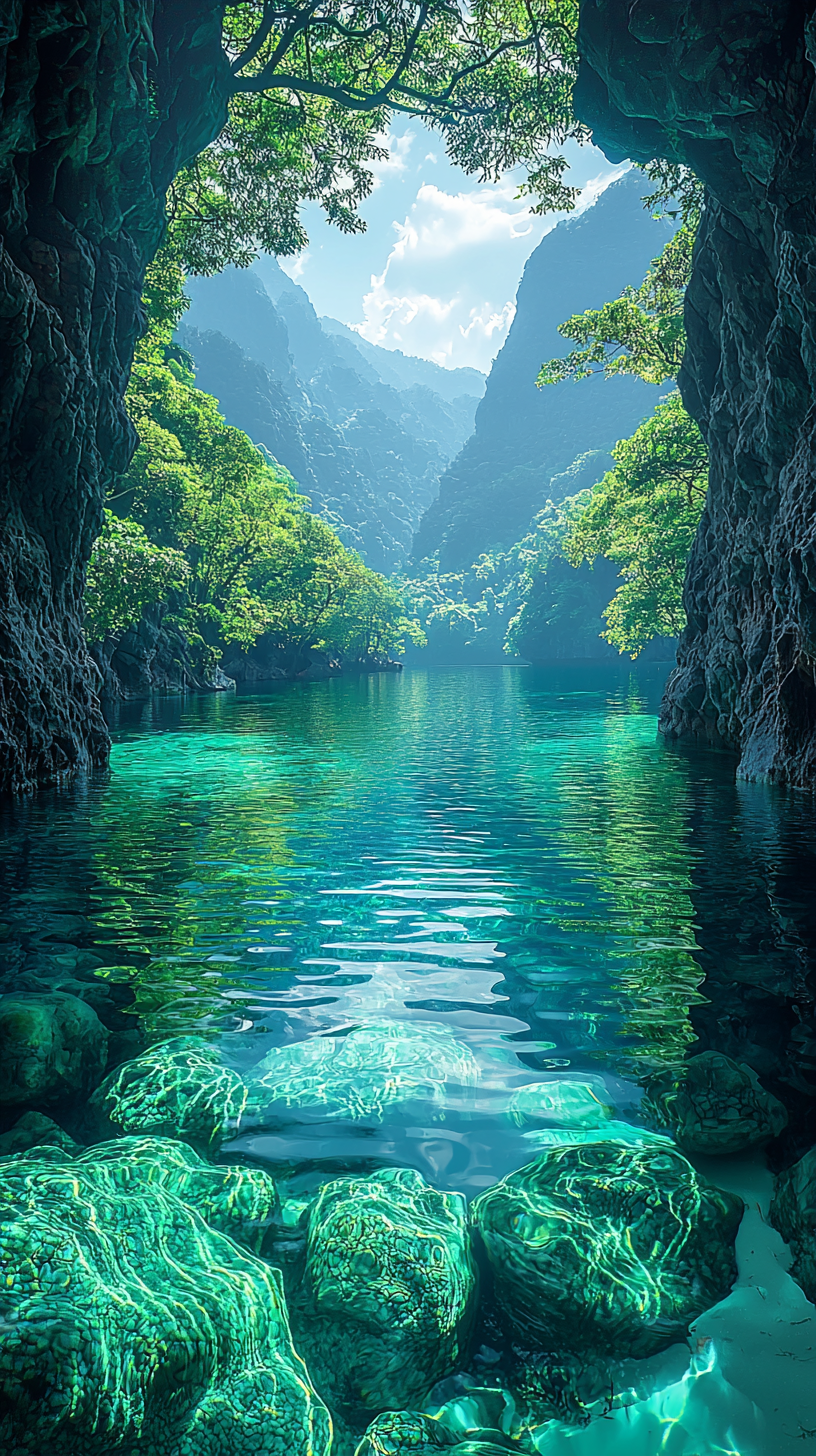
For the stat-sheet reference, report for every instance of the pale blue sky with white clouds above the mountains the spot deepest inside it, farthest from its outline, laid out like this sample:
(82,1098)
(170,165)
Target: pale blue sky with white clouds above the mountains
(436,273)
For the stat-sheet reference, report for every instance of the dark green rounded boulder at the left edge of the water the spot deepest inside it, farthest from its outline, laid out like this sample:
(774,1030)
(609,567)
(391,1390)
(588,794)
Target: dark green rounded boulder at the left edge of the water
(52,1048)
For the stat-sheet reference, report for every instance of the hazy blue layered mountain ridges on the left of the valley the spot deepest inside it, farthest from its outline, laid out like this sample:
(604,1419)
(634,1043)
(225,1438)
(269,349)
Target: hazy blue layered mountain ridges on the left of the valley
(365,435)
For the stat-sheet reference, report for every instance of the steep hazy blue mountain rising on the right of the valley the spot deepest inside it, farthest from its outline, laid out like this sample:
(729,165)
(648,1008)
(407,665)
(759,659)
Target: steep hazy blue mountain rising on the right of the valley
(525,438)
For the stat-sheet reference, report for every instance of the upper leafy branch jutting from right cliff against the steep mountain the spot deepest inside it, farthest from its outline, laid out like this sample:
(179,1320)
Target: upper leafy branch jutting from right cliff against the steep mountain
(642,333)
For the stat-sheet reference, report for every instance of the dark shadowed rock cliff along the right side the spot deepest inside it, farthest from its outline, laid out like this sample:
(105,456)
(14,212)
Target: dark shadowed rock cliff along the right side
(728,88)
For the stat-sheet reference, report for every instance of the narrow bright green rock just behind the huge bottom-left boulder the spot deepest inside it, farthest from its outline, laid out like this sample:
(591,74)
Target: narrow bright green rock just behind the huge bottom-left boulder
(238,1200)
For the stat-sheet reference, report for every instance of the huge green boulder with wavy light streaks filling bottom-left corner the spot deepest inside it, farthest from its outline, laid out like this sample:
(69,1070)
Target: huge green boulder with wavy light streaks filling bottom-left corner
(129,1326)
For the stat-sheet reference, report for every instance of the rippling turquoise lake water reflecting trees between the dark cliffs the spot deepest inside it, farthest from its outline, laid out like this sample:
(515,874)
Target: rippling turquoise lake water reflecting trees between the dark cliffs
(509,854)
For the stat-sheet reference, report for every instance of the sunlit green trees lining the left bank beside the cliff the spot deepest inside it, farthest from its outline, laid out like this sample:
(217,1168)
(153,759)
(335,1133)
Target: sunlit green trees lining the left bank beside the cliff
(212,519)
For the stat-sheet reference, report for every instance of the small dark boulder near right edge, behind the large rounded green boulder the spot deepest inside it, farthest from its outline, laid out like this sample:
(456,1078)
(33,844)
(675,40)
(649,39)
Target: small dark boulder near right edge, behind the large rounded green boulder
(715,1106)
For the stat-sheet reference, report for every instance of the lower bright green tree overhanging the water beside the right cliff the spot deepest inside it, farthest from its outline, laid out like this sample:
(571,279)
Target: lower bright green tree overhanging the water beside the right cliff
(645,516)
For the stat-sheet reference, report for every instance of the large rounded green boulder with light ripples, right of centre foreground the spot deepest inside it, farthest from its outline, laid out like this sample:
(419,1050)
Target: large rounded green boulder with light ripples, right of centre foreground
(608,1247)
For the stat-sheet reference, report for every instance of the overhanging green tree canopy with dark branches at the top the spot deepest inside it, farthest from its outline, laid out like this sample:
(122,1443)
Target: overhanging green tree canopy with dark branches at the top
(314,90)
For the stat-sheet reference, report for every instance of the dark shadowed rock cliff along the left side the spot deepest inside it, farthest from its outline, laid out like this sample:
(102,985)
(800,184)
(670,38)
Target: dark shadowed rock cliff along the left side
(94,124)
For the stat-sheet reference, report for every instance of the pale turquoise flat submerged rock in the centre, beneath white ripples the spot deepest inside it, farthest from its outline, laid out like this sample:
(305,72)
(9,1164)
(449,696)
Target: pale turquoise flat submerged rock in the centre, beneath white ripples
(361,1075)
